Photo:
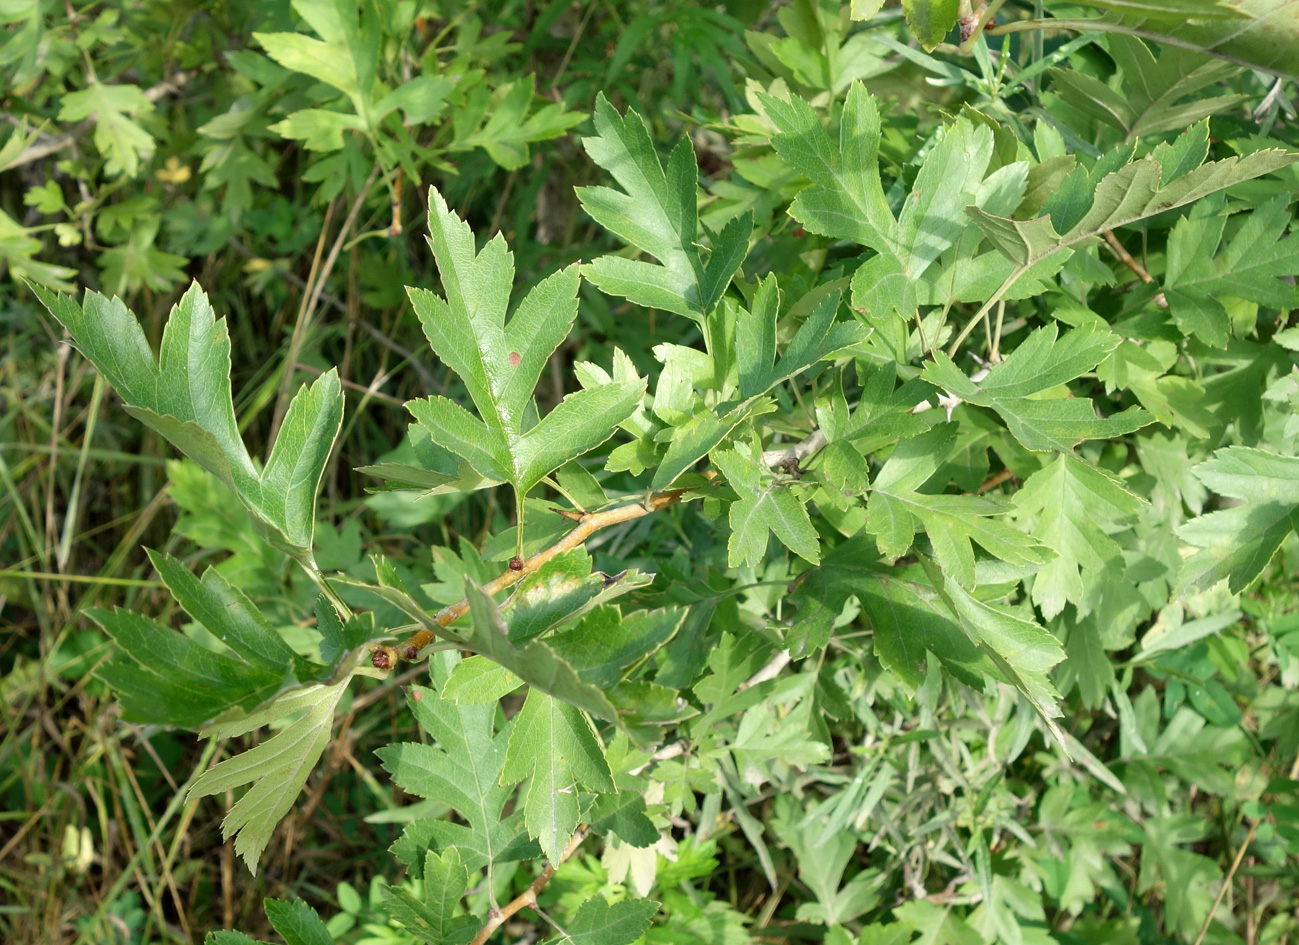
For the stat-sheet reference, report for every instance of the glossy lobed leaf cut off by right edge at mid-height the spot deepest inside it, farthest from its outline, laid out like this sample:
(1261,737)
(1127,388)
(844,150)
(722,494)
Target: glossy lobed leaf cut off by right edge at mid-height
(1239,543)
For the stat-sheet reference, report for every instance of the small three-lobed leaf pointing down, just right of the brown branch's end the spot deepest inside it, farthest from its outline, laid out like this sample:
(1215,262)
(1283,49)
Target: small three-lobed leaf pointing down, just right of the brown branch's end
(764,508)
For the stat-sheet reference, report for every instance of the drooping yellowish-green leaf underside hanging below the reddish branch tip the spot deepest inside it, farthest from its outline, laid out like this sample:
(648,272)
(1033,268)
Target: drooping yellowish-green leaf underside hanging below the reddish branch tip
(279,768)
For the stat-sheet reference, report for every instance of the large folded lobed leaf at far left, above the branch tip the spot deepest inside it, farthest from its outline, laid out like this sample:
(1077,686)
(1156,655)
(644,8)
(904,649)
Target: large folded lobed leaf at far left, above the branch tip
(186,397)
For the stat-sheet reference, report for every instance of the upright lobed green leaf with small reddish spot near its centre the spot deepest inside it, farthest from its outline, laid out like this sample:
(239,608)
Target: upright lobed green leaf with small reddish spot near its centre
(501,363)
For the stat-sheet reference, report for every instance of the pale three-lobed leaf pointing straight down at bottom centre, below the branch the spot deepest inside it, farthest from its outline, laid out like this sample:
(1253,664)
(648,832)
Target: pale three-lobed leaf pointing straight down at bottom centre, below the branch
(554,745)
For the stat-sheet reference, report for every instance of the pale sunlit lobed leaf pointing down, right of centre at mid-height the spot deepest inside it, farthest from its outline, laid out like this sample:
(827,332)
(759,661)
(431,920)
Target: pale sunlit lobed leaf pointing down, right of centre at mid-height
(1076,509)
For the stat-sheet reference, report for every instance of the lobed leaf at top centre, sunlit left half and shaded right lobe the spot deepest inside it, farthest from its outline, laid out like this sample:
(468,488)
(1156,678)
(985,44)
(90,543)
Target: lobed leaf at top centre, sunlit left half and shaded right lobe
(657,213)
